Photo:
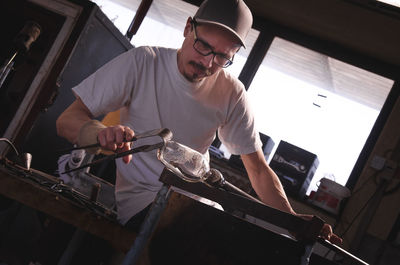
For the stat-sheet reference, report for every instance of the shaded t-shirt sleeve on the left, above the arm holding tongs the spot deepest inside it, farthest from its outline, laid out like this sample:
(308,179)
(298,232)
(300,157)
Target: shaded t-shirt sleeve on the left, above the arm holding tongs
(110,87)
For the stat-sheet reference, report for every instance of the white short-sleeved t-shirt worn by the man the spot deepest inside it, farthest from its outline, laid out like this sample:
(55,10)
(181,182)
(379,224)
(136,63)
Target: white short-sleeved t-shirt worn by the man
(146,85)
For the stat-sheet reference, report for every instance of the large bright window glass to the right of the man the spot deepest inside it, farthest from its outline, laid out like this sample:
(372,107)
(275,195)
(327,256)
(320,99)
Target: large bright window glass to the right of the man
(317,103)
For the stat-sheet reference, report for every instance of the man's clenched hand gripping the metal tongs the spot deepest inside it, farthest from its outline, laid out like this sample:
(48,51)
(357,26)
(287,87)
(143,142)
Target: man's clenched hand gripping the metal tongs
(117,139)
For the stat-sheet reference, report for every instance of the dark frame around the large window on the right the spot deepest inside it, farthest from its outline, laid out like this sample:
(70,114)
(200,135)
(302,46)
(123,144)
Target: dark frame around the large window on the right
(269,30)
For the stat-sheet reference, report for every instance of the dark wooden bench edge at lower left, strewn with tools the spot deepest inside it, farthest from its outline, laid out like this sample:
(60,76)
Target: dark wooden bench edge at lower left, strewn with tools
(15,186)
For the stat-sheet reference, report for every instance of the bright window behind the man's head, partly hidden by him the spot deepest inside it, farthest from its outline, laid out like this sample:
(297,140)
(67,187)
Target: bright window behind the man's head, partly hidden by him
(163,25)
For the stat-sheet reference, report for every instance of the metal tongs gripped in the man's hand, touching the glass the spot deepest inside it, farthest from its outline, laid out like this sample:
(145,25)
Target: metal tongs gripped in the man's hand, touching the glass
(164,133)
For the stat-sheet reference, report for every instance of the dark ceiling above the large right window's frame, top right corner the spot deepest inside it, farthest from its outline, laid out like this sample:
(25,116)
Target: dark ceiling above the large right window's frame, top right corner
(363,25)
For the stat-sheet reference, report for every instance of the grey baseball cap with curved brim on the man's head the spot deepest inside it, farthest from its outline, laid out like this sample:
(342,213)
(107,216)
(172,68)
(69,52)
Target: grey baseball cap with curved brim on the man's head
(233,15)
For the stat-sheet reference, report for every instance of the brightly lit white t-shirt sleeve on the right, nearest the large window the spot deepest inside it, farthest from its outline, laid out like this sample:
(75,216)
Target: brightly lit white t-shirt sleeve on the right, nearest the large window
(239,134)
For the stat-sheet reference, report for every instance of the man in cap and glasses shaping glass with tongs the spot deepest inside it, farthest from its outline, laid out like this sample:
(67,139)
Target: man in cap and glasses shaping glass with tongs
(186,90)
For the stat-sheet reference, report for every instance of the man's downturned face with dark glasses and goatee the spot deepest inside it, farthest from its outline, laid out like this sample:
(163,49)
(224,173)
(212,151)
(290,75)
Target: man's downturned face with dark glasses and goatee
(195,66)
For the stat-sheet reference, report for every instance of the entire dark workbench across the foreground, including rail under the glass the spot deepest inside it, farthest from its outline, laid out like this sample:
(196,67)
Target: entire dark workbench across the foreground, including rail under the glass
(184,230)
